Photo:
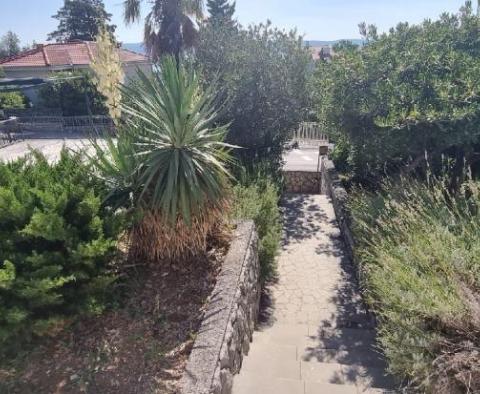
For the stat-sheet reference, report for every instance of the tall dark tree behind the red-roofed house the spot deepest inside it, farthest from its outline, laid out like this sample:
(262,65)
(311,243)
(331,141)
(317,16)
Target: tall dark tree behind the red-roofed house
(81,20)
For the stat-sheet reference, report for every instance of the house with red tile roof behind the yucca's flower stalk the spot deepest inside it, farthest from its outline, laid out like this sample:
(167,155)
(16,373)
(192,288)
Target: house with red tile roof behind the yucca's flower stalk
(70,56)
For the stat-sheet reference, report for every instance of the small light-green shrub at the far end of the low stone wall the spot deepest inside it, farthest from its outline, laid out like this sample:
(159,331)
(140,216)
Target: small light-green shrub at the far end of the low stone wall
(258,200)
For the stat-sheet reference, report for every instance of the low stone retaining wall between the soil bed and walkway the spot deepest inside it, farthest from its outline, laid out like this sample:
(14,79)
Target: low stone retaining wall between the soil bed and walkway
(226,331)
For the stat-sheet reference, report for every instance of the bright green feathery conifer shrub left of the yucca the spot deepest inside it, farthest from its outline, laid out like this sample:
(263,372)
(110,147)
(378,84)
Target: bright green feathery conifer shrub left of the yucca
(56,243)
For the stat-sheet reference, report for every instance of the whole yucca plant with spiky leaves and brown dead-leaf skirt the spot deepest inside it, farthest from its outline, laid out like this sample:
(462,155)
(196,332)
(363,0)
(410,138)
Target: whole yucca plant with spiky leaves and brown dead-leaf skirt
(170,158)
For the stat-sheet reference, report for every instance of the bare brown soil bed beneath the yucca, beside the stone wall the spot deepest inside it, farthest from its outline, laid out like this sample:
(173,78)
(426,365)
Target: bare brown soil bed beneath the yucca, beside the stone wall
(139,347)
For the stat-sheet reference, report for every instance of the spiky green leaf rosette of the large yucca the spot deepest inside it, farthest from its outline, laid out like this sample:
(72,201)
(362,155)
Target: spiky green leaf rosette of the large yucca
(179,147)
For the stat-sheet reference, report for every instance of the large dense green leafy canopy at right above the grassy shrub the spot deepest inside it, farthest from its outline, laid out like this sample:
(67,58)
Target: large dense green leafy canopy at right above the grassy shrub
(408,93)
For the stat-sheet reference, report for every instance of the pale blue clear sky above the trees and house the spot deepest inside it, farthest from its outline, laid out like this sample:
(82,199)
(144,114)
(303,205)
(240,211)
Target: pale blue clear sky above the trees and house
(316,19)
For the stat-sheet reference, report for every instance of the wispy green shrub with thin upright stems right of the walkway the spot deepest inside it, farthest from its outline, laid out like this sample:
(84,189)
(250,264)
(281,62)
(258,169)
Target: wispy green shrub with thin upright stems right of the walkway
(418,247)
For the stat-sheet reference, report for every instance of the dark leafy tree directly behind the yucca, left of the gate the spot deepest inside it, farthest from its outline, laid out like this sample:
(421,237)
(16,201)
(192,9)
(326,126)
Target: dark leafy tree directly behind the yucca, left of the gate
(264,73)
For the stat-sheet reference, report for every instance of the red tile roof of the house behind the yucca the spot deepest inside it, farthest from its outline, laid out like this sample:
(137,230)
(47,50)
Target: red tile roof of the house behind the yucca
(75,53)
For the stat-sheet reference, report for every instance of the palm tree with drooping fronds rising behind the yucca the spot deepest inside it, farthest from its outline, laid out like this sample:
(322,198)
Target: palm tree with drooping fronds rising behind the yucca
(169,27)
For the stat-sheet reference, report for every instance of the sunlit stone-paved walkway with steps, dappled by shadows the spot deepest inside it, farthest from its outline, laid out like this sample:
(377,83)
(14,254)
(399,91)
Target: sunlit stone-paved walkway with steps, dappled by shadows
(315,336)
